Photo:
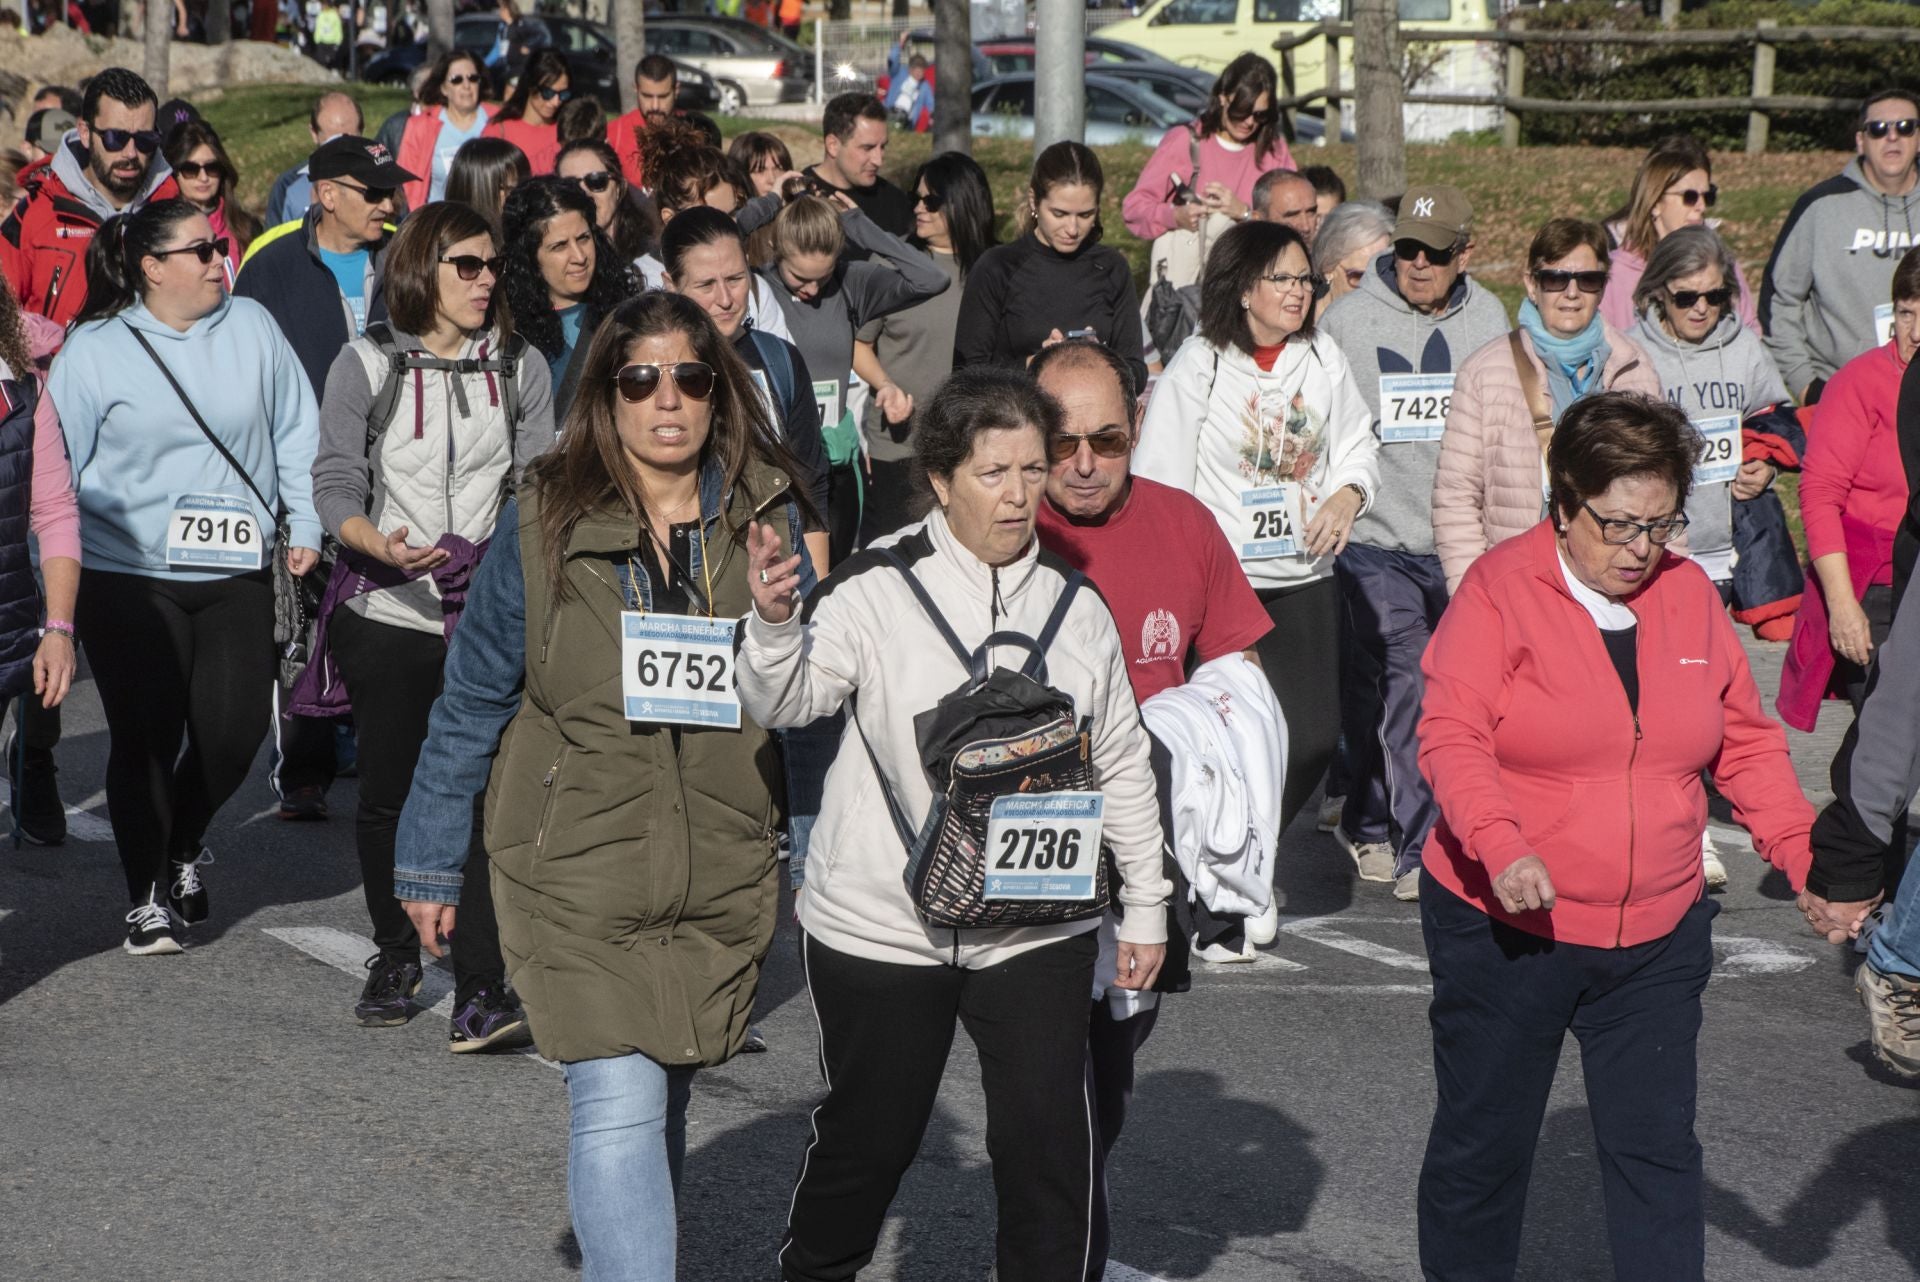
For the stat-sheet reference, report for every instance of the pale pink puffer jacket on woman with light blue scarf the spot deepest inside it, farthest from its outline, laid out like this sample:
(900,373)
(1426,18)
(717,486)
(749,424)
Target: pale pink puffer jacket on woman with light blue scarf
(1489,485)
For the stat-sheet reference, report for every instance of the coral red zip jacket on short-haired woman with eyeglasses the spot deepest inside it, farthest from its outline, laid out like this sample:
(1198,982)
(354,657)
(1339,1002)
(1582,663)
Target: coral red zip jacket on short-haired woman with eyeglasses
(1533,749)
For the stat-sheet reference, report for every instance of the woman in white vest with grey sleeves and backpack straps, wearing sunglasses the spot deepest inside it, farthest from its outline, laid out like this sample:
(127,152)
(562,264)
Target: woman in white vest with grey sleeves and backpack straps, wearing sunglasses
(412,469)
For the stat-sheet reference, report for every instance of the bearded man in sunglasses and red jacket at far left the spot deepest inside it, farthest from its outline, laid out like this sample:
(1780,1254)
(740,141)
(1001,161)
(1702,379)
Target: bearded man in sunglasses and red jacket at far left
(110,164)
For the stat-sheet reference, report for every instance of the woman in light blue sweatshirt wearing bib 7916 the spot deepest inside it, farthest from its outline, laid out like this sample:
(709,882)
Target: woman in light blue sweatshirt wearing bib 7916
(193,431)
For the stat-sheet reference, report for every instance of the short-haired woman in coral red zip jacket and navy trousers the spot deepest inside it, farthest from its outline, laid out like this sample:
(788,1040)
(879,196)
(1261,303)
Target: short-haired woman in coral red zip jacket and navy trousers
(1579,684)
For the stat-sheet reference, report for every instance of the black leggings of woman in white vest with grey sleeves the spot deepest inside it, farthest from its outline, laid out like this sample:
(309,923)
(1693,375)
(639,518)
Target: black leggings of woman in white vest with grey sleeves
(393,677)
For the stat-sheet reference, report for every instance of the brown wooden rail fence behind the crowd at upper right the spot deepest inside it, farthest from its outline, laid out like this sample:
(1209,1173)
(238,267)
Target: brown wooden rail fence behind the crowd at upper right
(1514,103)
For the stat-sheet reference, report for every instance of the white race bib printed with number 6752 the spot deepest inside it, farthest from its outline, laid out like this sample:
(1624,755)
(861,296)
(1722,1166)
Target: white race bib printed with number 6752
(679,671)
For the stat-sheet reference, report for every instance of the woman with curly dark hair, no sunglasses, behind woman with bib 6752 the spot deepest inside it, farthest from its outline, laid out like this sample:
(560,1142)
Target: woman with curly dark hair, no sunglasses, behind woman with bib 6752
(560,277)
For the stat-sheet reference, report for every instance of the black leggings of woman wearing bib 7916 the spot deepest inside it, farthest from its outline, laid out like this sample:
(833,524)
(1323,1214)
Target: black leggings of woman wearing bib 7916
(176,661)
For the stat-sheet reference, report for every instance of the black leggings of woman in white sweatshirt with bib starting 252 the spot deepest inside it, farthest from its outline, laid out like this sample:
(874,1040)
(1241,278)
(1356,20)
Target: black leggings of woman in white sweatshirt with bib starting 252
(1303,665)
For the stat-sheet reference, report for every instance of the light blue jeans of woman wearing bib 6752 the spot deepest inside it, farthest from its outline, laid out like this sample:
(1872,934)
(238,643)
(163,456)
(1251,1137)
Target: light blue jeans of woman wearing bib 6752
(627,1143)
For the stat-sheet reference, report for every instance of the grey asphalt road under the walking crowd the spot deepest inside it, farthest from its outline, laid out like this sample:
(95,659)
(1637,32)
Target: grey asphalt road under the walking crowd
(220,1114)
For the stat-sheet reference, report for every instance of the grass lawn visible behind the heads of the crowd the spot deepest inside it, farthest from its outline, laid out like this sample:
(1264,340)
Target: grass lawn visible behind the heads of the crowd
(1514,193)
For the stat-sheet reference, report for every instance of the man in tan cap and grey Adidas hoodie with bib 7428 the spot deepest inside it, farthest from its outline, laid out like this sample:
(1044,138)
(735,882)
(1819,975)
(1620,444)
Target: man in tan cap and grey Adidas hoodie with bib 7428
(1406,329)
